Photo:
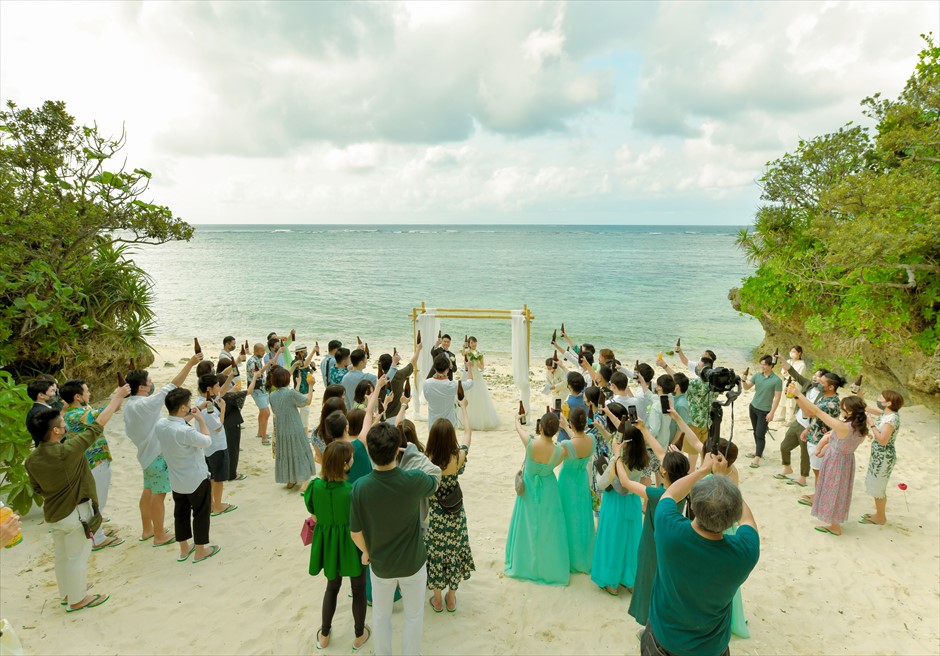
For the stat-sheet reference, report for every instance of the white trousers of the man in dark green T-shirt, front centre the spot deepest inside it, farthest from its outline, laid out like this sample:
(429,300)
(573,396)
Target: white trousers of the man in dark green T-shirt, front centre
(383,594)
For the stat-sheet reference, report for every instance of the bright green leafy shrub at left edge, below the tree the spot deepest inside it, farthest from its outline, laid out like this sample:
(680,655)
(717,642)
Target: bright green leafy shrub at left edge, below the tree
(15,445)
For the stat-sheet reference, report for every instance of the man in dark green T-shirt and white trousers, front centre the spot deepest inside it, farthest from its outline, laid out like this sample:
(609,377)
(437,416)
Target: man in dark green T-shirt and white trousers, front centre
(385,523)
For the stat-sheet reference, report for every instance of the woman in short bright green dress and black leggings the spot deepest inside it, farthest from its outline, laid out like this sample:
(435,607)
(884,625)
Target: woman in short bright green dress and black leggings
(332,550)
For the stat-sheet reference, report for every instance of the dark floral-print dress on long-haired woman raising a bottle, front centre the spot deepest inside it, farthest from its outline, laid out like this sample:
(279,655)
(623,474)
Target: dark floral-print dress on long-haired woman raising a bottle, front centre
(450,560)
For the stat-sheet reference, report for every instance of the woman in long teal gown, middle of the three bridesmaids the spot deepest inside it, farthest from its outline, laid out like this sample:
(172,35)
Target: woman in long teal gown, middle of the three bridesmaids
(575,490)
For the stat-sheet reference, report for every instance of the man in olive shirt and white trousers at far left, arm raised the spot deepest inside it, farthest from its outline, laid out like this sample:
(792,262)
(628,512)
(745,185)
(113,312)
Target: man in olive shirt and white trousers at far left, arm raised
(59,473)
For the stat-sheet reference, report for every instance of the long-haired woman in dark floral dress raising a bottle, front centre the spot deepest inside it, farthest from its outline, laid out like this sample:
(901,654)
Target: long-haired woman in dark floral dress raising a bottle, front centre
(450,560)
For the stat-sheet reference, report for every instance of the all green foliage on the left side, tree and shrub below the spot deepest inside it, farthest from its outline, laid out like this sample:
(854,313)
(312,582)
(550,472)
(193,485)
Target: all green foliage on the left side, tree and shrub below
(72,301)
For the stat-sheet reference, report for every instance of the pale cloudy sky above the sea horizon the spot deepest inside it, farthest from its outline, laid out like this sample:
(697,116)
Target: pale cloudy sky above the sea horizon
(460,112)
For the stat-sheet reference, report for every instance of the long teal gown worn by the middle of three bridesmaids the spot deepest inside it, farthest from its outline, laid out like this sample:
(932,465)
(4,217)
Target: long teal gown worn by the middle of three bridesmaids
(575,490)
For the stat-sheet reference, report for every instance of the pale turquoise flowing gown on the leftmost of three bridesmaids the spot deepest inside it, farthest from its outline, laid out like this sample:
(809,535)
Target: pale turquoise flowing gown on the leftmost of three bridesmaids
(537,544)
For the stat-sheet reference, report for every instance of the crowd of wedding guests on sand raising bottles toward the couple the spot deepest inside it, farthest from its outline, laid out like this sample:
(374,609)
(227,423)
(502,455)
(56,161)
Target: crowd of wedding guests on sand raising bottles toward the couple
(386,509)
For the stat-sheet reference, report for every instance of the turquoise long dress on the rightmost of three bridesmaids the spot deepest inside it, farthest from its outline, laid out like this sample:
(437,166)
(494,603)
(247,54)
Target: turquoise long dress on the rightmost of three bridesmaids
(618,537)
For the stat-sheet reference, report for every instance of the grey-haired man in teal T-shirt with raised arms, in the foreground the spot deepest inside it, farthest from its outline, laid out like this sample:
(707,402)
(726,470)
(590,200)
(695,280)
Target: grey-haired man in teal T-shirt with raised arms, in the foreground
(699,569)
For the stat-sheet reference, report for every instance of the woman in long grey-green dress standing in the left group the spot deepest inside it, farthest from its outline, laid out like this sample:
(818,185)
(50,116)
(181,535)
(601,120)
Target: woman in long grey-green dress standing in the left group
(293,458)
